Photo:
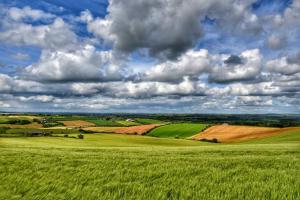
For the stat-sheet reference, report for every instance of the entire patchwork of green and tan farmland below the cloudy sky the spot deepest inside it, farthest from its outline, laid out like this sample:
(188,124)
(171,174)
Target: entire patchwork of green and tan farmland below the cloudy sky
(145,157)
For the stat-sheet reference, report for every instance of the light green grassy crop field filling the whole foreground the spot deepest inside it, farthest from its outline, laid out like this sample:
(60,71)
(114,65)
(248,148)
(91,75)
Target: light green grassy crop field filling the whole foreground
(104,166)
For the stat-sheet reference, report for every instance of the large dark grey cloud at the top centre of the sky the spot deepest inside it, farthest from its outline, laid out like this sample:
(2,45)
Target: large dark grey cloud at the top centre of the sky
(168,28)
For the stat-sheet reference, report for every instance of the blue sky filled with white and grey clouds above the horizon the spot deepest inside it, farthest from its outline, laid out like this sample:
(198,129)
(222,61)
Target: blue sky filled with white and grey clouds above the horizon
(158,56)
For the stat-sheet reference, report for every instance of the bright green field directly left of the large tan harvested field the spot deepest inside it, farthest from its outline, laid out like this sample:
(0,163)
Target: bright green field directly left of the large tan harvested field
(182,130)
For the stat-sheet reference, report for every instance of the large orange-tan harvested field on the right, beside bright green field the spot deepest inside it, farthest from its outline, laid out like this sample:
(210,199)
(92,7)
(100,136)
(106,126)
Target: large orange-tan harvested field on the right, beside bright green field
(228,133)
